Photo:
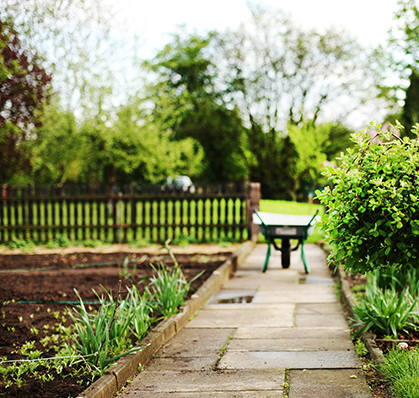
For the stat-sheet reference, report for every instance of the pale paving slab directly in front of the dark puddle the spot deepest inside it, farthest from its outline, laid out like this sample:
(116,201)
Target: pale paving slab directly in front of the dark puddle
(276,316)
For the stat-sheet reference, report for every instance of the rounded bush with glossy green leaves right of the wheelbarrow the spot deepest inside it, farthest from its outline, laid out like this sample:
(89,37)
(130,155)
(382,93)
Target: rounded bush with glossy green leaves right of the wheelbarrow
(373,203)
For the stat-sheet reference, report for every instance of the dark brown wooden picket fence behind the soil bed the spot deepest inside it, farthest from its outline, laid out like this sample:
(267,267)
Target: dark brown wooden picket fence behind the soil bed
(121,215)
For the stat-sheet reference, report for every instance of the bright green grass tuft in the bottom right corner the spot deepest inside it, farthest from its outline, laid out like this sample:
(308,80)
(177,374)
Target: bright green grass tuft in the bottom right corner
(402,369)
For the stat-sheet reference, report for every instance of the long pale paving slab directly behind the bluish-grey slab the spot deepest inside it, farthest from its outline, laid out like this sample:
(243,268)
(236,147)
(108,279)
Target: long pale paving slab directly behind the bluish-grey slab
(308,344)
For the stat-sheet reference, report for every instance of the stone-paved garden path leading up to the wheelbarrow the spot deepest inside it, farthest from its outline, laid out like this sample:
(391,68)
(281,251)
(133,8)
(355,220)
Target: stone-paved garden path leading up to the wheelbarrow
(292,335)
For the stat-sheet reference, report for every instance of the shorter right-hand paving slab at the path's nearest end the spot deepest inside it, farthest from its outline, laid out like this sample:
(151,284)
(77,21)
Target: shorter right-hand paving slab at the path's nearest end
(339,383)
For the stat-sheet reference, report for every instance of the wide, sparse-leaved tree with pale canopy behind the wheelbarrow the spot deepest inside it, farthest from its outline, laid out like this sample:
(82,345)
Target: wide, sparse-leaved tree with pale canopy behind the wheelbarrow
(279,75)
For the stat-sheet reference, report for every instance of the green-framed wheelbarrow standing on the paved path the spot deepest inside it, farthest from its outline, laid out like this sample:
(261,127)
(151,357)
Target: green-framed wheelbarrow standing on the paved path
(285,227)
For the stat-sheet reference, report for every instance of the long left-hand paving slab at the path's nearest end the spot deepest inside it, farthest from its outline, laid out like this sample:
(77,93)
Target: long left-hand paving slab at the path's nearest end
(207,381)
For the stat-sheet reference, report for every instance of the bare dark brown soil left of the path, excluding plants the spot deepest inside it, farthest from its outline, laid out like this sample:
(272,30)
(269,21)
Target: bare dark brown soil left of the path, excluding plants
(36,288)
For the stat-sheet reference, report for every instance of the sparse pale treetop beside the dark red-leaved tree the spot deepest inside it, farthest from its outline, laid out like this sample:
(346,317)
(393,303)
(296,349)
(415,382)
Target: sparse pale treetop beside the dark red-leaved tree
(75,40)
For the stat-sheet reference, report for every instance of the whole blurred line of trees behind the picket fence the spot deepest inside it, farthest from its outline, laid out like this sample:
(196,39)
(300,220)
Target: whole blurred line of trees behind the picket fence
(267,102)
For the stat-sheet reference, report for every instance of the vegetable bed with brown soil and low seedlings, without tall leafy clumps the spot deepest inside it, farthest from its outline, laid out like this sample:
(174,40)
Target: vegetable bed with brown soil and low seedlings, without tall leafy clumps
(36,294)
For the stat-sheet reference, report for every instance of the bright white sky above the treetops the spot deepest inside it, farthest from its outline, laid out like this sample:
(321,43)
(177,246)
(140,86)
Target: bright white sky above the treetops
(368,20)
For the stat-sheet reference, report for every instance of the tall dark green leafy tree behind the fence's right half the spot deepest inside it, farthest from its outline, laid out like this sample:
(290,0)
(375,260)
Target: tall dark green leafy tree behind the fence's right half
(185,83)
